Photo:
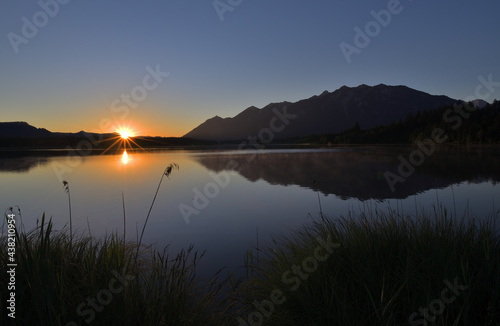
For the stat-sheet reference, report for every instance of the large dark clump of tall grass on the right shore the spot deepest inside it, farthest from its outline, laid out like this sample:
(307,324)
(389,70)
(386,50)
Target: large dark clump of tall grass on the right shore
(388,266)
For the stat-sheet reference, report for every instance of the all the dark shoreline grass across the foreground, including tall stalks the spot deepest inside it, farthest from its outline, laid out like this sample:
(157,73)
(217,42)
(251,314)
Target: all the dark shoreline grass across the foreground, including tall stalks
(379,269)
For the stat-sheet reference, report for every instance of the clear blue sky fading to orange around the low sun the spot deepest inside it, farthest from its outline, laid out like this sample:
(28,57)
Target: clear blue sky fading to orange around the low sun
(162,67)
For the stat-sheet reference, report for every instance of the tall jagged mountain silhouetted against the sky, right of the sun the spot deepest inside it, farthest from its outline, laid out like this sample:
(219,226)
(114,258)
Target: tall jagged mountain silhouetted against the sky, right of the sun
(328,113)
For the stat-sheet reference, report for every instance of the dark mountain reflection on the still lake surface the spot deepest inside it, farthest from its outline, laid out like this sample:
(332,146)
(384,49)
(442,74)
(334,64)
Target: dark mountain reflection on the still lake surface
(359,172)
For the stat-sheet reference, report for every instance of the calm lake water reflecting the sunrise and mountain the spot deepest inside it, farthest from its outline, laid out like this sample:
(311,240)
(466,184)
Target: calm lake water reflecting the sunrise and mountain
(223,200)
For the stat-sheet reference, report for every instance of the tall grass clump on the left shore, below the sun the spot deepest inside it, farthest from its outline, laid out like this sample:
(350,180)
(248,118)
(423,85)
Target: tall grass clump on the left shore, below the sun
(56,277)
